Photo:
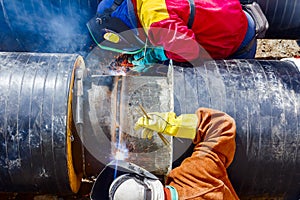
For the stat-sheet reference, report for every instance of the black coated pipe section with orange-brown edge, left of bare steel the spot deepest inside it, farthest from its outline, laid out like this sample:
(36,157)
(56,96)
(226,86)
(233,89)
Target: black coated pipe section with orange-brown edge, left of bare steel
(35,123)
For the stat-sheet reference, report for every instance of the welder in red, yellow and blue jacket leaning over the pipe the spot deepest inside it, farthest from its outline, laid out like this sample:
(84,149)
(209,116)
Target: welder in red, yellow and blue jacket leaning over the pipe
(184,30)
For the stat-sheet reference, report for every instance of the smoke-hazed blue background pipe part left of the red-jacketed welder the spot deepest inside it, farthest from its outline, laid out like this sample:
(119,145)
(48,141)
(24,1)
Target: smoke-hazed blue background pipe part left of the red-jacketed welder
(45,26)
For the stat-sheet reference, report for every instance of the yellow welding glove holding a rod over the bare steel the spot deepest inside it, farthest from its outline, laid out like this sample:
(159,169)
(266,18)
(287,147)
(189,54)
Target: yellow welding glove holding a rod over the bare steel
(183,126)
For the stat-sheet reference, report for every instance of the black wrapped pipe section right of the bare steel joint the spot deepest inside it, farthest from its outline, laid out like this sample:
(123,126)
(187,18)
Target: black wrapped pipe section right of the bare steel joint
(264,99)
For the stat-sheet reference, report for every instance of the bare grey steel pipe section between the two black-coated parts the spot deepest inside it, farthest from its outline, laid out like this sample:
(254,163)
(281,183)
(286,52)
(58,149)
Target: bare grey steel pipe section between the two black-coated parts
(110,110)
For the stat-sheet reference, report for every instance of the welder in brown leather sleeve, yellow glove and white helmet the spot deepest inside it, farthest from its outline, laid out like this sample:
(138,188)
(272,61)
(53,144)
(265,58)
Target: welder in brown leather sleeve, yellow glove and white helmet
(202,175)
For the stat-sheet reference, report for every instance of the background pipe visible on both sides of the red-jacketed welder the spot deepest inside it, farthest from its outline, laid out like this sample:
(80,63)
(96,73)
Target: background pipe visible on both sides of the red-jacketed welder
(59,26)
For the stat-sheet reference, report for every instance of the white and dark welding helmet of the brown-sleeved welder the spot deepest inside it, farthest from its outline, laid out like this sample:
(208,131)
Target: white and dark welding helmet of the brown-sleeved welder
(121,180)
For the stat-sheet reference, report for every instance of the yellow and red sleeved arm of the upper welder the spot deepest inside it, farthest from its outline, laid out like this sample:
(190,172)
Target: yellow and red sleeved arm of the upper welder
(165,28)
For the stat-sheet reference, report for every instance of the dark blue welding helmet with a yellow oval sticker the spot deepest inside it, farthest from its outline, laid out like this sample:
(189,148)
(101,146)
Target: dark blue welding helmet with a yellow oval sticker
(111,33)
